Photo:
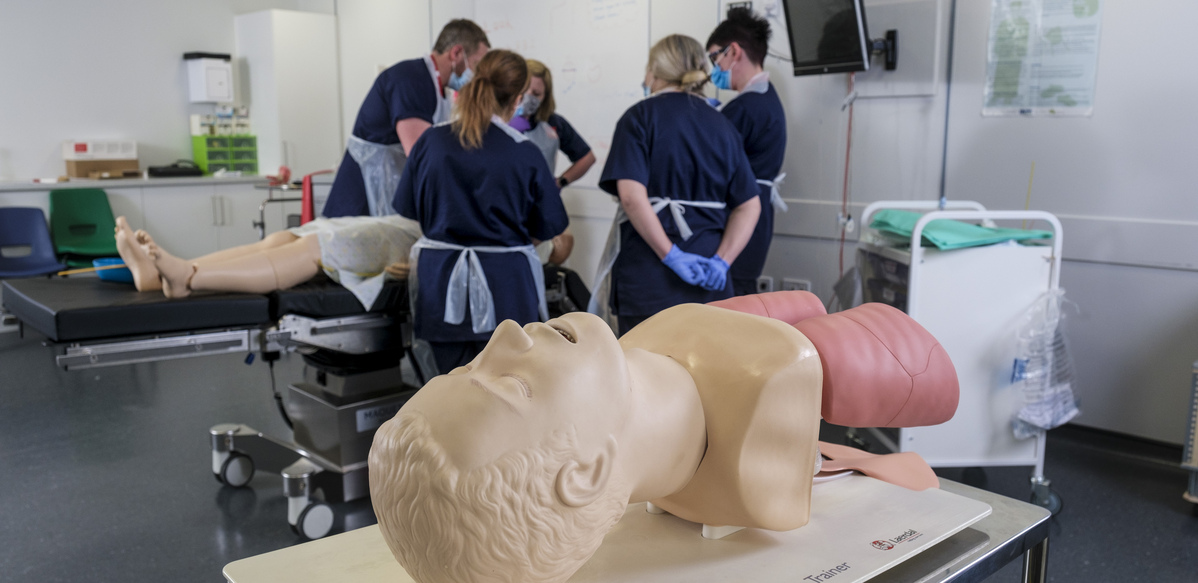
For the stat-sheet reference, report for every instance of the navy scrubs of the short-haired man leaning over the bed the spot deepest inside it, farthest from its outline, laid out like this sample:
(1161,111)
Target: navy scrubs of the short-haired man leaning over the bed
(404,92)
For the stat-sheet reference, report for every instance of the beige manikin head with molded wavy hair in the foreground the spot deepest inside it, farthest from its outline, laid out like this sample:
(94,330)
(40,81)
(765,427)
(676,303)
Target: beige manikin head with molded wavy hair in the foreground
(481,464)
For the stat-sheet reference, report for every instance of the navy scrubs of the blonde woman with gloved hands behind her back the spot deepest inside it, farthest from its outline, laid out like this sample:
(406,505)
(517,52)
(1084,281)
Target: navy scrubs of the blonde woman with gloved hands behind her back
(680,148)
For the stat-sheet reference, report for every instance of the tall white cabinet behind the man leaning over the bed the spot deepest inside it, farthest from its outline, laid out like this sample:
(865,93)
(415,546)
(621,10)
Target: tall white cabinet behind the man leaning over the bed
(289,65)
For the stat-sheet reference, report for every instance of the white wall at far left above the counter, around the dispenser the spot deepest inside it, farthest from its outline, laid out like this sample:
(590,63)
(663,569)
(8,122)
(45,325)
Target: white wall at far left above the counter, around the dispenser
(114,70)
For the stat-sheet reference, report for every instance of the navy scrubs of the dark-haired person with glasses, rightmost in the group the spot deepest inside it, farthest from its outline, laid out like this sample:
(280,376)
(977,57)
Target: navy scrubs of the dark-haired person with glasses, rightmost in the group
(761,123)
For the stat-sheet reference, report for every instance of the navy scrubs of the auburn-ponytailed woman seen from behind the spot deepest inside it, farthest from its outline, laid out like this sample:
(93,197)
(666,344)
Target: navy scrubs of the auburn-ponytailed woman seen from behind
(499,196)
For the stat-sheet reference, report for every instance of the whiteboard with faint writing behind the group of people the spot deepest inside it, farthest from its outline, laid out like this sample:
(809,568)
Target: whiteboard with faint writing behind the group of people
(596,50)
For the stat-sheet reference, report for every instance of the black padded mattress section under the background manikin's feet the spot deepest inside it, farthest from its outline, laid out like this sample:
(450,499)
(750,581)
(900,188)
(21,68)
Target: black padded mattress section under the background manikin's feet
(90,308)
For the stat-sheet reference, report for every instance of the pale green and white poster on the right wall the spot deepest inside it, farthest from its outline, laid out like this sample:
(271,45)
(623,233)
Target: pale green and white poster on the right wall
(1043,58)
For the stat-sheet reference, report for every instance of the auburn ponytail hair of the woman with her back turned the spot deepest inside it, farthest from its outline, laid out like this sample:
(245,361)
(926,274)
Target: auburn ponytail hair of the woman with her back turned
(500,78)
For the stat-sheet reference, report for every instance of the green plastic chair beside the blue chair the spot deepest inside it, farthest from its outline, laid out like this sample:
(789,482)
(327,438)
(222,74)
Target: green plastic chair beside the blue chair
(82,226)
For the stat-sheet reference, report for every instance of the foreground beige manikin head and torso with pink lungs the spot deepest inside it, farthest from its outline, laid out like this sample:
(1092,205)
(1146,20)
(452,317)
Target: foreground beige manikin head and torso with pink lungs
(516,466)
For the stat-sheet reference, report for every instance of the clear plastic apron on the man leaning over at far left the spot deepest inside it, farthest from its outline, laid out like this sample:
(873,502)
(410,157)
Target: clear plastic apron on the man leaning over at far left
(384,165)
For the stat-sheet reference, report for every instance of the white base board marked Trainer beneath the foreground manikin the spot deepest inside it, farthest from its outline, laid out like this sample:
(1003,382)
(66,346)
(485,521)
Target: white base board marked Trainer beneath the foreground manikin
(860,529)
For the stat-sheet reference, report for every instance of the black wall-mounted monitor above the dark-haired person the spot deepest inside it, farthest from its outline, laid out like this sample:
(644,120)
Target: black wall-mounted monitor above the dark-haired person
(827,37)
